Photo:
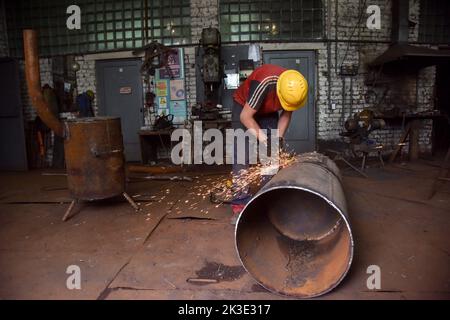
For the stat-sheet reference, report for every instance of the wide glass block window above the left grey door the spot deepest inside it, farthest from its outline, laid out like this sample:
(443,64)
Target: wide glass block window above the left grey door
(106,25)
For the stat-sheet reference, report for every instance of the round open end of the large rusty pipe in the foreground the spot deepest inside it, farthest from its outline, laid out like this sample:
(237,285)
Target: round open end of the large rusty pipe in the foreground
(294,242)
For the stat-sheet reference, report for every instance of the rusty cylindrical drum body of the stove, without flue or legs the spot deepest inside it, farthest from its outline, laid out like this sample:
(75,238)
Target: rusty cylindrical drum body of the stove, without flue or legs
(94,158)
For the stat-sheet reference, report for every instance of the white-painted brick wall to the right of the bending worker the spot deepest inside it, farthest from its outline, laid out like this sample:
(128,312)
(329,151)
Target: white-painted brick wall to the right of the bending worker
(402,89)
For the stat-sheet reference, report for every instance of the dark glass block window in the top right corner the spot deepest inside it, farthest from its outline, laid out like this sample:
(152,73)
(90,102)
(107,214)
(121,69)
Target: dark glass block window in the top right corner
(434,21)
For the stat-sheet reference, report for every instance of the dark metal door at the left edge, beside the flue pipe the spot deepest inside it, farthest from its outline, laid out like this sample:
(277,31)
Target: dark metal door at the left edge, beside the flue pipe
(12,135)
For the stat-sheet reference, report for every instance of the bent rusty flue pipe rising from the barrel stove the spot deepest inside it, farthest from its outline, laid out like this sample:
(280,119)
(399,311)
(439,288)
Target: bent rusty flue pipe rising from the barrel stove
(32,74)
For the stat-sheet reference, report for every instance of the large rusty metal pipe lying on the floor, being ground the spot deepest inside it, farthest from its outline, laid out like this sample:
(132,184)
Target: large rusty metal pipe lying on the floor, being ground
(294,236)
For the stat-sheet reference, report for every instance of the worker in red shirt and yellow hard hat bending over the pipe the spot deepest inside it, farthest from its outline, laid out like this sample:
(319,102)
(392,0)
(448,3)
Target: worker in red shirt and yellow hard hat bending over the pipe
(257,104)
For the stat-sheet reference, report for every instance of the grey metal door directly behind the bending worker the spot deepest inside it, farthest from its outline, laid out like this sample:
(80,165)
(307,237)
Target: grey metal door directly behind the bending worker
(301,134)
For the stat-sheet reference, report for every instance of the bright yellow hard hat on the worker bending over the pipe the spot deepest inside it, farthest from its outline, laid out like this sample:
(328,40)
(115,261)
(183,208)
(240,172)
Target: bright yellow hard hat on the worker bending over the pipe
(292,90)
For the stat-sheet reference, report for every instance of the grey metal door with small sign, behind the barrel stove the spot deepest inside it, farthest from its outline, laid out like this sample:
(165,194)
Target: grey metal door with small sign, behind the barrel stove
(119,90)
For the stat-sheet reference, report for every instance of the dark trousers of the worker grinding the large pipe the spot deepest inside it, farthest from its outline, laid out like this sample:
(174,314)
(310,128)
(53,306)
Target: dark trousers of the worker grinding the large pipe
(266,121)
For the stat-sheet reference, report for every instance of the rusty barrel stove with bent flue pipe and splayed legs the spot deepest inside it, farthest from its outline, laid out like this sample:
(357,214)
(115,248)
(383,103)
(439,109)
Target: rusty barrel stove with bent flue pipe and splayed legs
(93,147)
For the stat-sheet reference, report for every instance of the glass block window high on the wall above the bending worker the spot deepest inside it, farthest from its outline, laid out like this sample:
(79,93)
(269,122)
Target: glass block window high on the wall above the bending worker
(260,20)
